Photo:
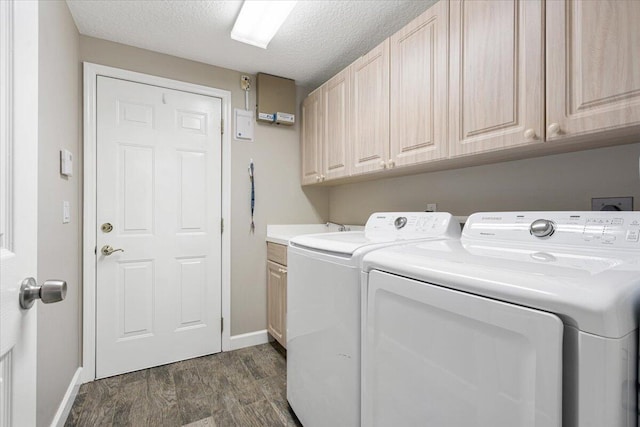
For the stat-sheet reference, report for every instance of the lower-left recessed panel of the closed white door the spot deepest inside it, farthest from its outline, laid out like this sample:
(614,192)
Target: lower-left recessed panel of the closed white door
(136,295)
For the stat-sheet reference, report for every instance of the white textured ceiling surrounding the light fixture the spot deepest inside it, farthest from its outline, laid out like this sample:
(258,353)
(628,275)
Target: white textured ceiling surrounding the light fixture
(317,40)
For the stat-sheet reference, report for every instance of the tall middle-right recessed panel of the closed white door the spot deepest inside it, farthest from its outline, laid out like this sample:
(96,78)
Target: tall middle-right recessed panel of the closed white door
(192,191)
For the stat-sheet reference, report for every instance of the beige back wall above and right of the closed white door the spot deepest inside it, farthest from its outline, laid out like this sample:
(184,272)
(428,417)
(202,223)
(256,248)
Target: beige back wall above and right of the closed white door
(279,197)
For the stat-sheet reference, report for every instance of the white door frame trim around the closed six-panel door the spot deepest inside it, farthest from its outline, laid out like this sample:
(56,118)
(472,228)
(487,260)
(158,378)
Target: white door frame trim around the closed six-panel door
(91,73)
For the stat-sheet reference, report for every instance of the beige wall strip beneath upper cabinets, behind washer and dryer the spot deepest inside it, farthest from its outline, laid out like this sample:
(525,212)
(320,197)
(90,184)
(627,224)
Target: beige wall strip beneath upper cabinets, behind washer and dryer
(558,182)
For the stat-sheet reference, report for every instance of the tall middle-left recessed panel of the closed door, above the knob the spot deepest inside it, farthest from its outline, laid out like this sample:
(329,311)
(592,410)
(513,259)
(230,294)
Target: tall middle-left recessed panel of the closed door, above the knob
(137,172)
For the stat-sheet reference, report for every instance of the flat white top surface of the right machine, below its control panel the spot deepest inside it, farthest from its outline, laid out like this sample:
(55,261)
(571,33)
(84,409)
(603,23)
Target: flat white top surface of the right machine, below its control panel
(595,291)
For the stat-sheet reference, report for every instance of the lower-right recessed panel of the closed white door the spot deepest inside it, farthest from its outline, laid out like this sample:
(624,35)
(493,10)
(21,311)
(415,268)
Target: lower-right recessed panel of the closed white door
(191,283)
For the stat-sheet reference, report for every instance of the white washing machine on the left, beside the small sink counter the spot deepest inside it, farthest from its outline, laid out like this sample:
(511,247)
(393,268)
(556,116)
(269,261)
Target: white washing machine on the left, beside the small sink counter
(323,311)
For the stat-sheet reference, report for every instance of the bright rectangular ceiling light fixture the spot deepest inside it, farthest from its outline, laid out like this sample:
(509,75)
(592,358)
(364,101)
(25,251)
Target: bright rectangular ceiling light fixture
(260,20)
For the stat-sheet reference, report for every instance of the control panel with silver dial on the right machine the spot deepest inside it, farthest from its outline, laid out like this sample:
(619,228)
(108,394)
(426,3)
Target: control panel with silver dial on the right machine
(587,229)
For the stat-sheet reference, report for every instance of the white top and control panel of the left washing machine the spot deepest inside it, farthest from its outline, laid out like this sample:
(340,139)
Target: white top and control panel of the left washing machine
(381,228)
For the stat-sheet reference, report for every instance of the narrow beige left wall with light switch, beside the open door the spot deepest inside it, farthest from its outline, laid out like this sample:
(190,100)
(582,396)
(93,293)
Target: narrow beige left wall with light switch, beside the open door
(59,245)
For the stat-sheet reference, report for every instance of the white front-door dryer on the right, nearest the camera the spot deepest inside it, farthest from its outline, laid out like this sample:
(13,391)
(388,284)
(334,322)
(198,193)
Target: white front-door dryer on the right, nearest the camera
(530,319)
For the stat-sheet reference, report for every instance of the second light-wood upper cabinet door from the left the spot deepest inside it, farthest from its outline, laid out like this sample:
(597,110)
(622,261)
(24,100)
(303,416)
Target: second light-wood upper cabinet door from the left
(335,151)
